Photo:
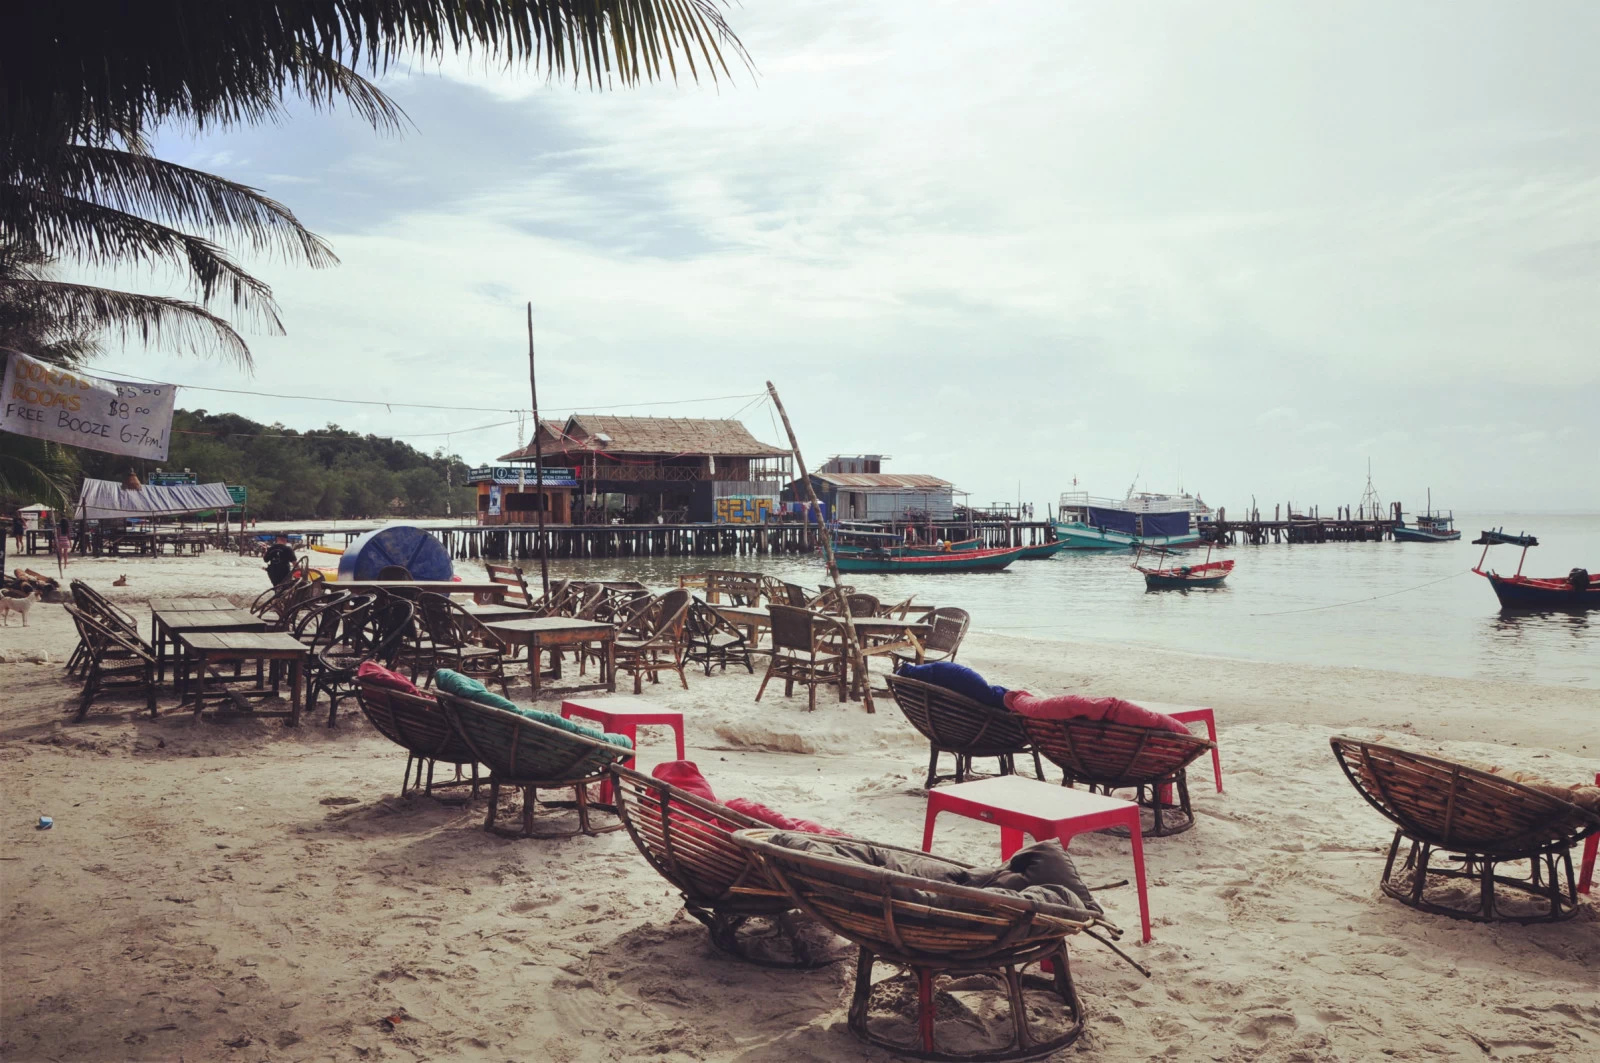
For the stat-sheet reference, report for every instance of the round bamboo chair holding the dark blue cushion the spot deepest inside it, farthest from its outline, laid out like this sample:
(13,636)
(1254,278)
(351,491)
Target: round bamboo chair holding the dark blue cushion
(964,728)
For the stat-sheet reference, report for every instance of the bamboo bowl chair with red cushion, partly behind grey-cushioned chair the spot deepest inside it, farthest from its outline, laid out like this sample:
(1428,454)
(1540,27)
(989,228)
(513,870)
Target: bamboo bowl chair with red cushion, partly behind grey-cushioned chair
(689,841)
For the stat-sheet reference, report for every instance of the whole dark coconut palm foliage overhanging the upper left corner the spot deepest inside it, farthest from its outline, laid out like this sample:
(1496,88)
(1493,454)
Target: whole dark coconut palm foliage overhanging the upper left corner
(82,82)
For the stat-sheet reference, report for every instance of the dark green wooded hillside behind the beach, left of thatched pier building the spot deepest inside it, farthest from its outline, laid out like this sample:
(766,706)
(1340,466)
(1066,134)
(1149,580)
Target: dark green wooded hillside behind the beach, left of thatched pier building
(326,473)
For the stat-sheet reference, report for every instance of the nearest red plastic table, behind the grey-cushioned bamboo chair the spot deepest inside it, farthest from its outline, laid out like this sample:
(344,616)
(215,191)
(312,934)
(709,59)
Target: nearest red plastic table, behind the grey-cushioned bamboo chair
(1044,811)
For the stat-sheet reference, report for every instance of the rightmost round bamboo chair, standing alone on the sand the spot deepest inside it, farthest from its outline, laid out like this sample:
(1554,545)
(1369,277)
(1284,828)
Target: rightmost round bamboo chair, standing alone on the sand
(1474,817)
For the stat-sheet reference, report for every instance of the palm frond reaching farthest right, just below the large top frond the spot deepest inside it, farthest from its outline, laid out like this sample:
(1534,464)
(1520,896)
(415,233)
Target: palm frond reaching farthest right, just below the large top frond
(137,183)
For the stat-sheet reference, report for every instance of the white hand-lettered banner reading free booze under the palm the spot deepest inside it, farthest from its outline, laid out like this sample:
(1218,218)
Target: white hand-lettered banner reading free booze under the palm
(121,417)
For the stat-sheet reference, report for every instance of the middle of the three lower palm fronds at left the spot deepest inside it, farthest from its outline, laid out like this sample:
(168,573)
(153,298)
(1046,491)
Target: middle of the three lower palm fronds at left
(74,228)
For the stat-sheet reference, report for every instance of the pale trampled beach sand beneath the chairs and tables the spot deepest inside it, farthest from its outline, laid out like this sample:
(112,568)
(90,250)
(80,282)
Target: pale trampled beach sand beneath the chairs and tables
(202,894)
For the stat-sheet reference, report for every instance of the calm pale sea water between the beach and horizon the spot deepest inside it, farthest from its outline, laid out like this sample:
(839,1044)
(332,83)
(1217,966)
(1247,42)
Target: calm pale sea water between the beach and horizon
(1410,608)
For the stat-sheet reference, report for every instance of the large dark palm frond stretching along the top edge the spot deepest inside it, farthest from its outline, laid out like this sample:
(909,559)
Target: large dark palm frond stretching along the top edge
(103,70)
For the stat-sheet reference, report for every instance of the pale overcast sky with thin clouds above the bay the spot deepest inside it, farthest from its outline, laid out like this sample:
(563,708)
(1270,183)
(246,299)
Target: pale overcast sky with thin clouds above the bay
(1239,246)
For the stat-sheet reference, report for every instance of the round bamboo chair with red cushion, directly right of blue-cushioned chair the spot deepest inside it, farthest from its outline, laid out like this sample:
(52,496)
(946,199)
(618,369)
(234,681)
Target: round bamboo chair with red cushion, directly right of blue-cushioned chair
(1116,756)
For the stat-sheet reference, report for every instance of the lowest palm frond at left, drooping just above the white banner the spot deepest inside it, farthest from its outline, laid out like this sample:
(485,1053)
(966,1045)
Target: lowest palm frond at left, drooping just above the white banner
(153,319)
